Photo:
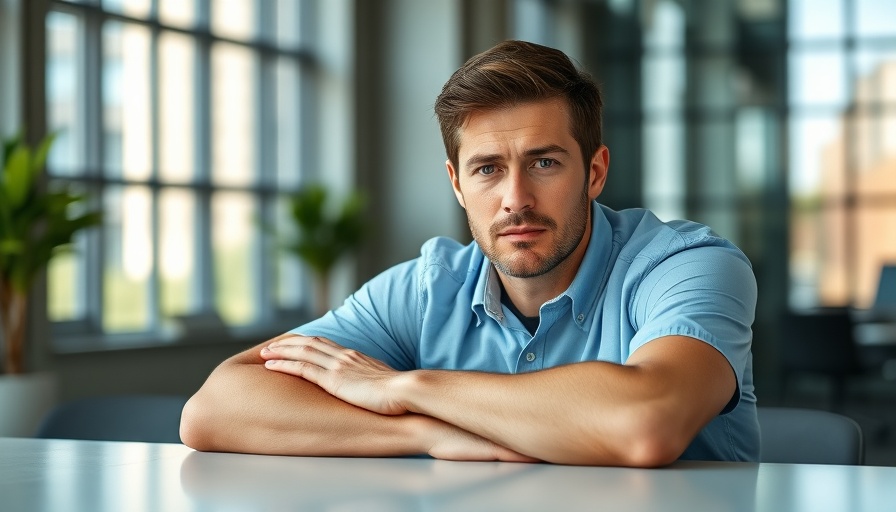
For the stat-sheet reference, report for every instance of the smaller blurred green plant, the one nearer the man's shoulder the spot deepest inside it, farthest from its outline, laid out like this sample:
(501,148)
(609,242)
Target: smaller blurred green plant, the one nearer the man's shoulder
(323,234)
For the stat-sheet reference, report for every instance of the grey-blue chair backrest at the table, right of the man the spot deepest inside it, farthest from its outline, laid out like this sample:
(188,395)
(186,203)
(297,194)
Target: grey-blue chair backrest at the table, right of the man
(807,436)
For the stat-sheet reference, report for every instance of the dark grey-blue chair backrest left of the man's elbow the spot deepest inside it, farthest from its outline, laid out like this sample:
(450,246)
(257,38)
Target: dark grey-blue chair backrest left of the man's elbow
(147,418)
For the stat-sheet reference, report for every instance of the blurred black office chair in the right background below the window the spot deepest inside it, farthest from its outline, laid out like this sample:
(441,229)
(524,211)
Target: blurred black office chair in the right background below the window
(820,342)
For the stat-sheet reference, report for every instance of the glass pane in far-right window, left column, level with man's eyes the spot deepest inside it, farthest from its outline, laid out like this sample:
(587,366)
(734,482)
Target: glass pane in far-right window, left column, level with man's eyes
(816,157)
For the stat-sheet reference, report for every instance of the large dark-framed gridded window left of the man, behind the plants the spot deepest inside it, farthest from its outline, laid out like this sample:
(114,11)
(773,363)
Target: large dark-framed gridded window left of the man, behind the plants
(182,119)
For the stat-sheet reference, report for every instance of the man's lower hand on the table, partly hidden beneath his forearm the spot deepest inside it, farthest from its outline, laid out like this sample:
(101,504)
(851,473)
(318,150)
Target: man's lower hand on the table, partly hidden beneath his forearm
(450,442)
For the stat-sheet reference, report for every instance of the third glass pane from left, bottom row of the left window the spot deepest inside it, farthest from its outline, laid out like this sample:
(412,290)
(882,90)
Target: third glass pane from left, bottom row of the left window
(177,252)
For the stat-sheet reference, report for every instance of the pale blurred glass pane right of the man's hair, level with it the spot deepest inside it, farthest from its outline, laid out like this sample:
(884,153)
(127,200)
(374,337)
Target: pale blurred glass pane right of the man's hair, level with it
(664,82)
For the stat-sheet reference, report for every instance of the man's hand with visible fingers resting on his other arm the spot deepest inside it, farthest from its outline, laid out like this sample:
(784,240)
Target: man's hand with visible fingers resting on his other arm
(346,374)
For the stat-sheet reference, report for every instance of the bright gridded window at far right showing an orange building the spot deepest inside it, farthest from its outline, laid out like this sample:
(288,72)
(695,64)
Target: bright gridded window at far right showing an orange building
(842,98)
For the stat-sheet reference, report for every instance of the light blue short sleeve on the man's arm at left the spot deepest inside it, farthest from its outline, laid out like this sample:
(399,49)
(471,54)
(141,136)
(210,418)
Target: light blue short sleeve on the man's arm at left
(380,320)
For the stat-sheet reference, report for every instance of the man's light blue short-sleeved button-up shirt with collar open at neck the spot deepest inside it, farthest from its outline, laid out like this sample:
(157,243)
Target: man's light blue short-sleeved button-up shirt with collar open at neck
(640,279)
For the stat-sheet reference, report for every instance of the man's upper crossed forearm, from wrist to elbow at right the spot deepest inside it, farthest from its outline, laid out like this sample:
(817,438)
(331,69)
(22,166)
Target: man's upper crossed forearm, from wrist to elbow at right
(560,415)
